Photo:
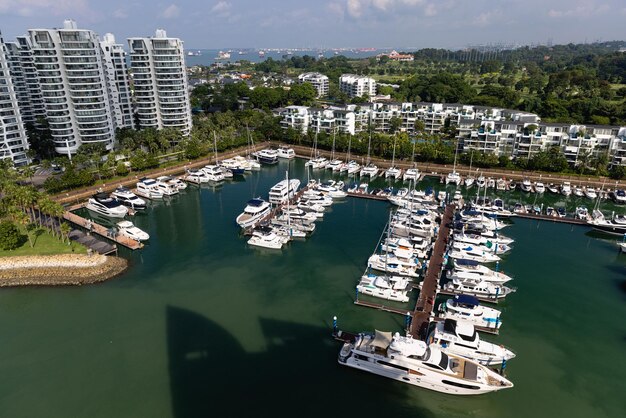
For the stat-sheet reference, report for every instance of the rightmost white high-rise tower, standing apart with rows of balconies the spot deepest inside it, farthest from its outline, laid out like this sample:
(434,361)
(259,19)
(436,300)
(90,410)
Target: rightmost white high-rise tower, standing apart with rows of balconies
(160,82)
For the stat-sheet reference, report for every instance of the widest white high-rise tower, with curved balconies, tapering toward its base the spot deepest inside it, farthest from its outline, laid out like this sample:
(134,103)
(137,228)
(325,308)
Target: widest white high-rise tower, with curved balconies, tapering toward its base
(77,96)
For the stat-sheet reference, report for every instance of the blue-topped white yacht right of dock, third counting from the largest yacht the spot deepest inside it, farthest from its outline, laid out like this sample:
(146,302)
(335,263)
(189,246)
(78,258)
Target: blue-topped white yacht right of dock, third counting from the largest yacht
(468,309)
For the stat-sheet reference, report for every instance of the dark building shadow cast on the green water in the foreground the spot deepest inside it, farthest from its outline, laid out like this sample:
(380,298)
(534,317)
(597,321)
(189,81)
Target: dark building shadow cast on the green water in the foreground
(211,374)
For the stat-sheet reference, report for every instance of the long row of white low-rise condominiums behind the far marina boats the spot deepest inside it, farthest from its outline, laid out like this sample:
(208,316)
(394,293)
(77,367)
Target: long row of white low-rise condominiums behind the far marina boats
(502,132)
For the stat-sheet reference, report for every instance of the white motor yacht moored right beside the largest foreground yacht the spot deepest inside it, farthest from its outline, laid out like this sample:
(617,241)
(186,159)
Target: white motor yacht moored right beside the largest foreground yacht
(460,338)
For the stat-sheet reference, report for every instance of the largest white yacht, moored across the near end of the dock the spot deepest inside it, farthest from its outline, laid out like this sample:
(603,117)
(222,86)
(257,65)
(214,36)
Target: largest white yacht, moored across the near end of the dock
(411,361)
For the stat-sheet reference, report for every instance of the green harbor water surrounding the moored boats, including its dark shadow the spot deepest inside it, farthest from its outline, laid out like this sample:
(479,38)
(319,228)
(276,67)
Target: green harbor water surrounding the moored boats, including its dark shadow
(203,325)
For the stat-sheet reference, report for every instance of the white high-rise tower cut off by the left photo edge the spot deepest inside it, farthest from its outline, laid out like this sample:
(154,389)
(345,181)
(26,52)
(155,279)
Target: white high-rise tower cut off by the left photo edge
(13,143)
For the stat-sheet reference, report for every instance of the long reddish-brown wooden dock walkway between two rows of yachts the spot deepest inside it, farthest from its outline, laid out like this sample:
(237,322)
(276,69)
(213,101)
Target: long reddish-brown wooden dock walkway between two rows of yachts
(426,300)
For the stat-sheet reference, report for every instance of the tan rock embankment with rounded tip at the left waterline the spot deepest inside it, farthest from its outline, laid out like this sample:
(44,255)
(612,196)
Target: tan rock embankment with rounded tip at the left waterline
(59,270)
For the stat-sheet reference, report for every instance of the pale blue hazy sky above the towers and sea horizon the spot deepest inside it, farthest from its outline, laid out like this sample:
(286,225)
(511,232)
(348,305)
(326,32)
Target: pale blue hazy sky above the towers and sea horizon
(410,24)
